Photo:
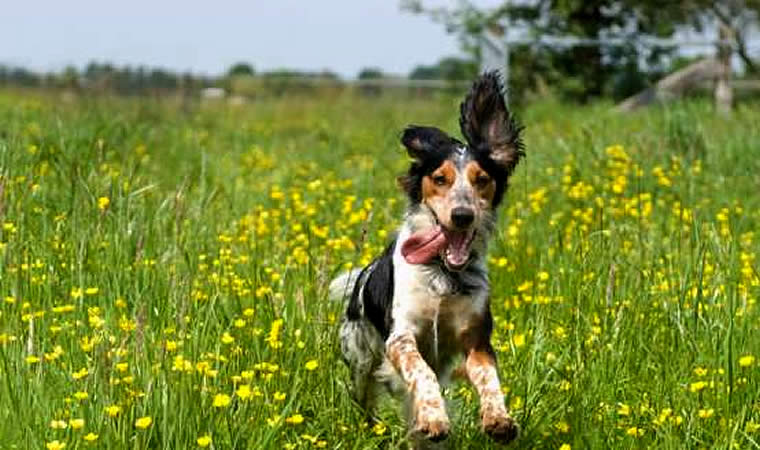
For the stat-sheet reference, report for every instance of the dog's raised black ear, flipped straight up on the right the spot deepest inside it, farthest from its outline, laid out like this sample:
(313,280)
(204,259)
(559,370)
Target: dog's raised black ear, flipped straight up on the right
(487,124)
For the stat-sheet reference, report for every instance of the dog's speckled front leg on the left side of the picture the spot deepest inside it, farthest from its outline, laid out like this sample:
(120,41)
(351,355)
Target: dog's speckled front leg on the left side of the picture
(428,408)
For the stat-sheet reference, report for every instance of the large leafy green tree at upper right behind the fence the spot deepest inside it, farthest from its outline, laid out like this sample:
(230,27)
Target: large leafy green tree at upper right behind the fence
(588,70)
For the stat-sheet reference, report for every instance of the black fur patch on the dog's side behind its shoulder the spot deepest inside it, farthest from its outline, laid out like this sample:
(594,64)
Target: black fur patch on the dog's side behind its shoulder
(377,298)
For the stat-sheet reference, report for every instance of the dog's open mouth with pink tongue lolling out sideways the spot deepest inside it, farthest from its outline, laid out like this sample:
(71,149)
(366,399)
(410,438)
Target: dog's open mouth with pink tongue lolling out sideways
(452,246)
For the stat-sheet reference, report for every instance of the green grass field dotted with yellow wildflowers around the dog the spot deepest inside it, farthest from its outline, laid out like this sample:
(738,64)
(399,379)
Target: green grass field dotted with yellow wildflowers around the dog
(163,274)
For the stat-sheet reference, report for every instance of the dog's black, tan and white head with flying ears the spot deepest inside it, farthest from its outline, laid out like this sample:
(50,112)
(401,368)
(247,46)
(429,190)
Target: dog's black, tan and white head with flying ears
(462,184)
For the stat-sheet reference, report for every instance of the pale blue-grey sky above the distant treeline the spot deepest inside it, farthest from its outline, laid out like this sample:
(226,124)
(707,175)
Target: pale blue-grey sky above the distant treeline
(208,37)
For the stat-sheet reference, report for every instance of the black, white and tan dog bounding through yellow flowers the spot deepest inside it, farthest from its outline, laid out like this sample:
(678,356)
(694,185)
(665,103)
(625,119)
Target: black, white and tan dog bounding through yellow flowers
(424,301)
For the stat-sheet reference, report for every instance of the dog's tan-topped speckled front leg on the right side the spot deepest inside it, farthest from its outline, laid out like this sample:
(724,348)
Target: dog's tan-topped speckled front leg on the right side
(481,370)
